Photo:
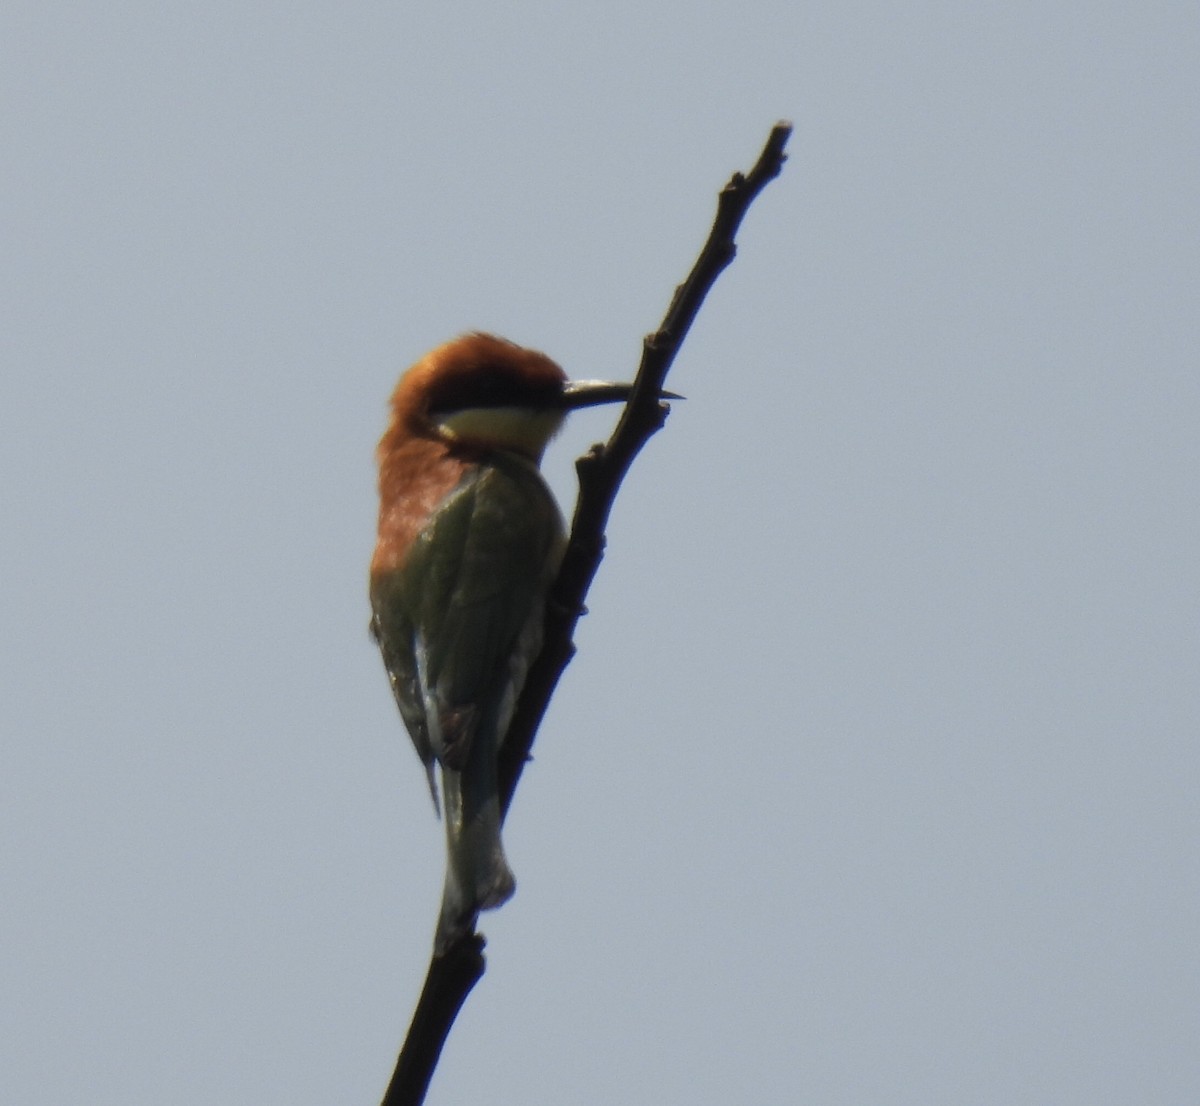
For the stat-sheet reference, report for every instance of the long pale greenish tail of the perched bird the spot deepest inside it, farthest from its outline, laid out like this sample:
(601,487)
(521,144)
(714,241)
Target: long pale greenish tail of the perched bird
(478,876)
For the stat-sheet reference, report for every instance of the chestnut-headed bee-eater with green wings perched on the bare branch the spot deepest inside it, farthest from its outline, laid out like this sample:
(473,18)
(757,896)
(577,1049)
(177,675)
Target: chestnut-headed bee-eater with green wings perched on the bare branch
(470,542)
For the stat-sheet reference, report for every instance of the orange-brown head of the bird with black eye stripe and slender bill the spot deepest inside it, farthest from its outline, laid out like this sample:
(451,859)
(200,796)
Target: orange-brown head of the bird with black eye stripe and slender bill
(485,392)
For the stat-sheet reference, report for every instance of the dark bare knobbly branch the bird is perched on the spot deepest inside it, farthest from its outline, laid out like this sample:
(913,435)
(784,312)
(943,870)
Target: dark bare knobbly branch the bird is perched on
(602,470)
